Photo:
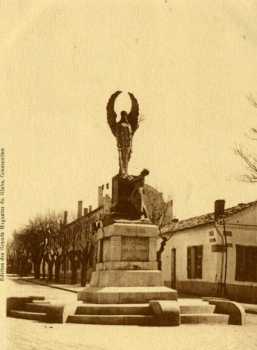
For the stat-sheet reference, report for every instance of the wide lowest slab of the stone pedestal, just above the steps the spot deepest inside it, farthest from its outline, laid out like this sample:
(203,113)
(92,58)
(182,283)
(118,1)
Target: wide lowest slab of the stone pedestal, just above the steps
(126,295)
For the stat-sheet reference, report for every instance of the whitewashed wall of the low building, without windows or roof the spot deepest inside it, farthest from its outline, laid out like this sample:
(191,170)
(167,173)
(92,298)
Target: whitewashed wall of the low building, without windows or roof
(243,226)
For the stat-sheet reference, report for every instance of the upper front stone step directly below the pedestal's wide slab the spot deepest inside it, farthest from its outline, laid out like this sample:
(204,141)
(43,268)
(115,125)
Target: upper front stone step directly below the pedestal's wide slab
(113,309)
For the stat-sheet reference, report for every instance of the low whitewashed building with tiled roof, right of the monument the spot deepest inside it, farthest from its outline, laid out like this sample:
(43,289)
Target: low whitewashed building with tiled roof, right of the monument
(195,259)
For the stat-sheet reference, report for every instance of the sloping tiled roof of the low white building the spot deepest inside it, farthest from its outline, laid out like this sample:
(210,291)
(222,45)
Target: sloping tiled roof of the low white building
(203,219)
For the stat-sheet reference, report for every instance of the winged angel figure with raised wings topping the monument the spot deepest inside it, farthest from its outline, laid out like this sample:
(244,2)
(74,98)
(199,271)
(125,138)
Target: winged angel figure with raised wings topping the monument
(123,130)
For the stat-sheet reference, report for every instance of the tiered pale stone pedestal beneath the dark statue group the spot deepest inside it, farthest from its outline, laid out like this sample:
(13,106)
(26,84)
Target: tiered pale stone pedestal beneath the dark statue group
(126,269)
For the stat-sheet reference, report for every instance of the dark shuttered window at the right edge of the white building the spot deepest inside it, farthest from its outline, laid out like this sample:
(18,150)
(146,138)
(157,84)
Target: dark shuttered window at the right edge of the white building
(246,263)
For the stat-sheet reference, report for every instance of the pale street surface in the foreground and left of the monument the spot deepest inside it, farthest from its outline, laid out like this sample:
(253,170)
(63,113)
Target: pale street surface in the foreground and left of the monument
(31,335)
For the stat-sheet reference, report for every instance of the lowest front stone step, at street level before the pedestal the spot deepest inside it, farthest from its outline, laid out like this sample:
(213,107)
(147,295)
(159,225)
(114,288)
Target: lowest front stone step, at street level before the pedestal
(139,320)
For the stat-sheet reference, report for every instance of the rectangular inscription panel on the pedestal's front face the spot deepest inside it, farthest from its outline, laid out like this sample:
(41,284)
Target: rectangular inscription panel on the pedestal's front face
(134,248)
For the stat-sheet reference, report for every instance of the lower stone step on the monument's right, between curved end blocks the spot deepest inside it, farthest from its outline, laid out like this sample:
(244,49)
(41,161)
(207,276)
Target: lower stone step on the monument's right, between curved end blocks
(204,318)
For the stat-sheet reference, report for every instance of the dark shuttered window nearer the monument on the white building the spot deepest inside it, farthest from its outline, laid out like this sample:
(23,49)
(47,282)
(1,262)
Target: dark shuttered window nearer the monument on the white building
(194,261)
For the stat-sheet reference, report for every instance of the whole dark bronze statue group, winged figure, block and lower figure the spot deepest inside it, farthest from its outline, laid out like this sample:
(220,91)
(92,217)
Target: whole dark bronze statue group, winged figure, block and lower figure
(127,190)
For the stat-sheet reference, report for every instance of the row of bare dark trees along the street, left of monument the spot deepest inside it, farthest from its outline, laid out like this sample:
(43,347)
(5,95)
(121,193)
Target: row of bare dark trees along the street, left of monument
(43,247)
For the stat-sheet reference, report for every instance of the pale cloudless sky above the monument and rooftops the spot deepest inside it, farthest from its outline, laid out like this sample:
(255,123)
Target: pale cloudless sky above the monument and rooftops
(190,64)
